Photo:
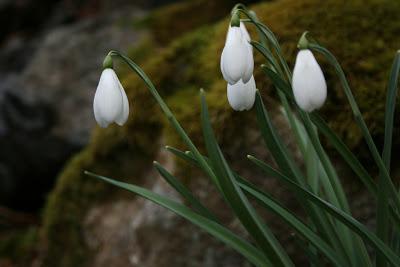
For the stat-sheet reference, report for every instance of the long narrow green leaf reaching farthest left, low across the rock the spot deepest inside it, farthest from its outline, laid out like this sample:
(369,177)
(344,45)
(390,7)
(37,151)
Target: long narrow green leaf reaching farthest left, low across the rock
(210,226)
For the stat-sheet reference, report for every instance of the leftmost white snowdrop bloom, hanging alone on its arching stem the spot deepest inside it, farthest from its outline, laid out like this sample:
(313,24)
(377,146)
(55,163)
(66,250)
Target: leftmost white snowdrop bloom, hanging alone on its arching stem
(110,102)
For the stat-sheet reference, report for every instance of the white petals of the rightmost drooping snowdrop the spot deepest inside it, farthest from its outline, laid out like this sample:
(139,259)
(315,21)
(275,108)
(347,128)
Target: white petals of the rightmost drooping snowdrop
(309,85)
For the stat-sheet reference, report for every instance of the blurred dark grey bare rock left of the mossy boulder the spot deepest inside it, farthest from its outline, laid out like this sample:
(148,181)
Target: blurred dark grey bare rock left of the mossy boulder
(46,99)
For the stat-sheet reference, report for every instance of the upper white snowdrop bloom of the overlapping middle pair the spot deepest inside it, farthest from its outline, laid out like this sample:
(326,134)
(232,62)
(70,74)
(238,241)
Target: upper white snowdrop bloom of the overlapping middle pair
(237,61)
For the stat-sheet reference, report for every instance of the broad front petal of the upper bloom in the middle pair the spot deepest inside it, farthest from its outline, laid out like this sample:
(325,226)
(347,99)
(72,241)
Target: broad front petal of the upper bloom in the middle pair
(235,56)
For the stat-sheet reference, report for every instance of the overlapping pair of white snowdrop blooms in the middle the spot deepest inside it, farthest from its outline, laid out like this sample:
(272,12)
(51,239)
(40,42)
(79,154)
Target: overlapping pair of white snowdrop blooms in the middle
(237,64)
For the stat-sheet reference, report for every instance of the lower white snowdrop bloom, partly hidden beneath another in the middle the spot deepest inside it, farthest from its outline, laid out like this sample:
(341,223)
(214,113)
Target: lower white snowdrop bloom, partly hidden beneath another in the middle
(241,96)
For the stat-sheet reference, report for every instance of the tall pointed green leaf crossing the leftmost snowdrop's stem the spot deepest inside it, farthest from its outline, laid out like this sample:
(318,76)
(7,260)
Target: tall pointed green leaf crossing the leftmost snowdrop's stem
(236,198)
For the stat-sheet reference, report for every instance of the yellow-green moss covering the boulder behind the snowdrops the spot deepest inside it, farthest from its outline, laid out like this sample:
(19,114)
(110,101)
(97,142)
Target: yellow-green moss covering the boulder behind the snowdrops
(362,34)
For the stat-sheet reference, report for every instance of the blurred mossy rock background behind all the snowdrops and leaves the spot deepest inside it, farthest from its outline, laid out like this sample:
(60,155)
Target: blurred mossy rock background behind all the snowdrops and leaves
(53,215)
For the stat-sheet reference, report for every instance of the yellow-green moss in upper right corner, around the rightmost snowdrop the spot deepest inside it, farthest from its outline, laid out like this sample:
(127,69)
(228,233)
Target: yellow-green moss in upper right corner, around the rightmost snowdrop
(363,37)
